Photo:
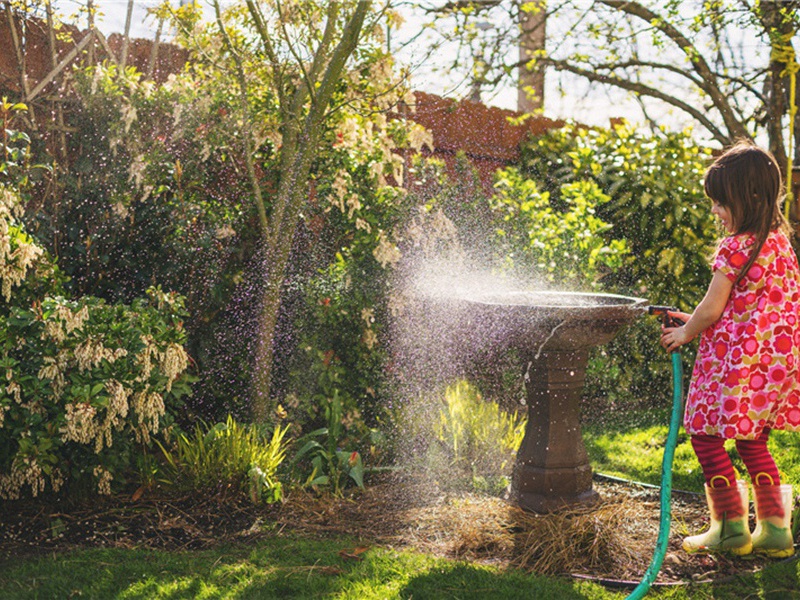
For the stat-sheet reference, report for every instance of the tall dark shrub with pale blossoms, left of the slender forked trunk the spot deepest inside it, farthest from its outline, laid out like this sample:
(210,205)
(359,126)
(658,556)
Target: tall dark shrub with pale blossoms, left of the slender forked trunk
(154,193)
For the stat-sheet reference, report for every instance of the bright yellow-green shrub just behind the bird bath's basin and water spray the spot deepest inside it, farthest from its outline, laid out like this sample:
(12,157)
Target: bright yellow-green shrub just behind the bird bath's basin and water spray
(523,231)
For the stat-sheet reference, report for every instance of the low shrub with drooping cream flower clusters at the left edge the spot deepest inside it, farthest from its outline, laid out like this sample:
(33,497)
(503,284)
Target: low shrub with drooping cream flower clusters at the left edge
(83,381)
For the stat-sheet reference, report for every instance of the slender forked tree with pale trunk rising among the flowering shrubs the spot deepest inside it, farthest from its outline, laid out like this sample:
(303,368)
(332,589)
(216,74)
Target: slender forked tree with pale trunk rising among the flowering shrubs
(303,51)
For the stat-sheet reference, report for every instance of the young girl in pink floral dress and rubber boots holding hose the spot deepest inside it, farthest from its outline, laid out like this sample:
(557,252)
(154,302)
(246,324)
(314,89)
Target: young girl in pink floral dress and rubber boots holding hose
(746,379)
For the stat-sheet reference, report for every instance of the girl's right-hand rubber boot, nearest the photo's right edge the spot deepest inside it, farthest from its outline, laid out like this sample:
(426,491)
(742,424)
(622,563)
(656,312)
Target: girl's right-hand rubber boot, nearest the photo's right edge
(773,534)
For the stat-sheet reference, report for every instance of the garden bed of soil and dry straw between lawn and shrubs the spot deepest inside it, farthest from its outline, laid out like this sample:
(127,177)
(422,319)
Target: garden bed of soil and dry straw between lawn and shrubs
(611,542)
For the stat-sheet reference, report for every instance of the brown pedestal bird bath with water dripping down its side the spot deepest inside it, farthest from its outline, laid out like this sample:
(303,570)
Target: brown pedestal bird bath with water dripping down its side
(553,332)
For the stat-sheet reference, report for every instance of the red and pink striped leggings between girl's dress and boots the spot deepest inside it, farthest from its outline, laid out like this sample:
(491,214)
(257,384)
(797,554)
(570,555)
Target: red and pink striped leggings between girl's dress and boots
(717,465)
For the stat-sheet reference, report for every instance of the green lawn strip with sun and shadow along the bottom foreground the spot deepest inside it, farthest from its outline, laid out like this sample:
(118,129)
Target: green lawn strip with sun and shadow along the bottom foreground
(296,567)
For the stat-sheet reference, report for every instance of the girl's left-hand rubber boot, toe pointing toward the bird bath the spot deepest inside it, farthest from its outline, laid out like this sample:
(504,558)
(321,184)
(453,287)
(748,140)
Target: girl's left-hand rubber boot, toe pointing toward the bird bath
(729,531)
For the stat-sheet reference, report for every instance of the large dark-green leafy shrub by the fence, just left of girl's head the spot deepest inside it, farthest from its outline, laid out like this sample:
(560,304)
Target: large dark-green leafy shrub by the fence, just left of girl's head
(657,206)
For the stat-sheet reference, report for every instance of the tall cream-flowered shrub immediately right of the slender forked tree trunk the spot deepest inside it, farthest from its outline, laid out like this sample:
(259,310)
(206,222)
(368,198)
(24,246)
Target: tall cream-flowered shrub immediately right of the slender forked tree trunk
(344,316)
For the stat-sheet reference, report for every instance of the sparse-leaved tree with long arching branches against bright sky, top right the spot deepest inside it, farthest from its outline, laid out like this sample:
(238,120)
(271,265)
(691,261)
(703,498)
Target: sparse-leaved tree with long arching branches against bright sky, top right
(725,64)
